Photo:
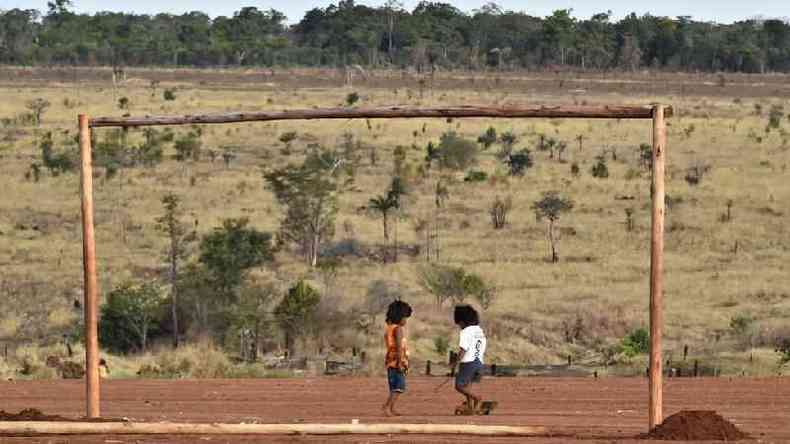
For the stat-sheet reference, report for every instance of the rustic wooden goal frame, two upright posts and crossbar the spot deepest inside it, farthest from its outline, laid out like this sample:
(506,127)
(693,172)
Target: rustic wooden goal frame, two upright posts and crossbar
(658,113)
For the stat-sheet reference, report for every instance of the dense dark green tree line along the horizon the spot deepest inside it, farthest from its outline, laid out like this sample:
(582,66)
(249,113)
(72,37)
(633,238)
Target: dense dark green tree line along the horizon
(433,35)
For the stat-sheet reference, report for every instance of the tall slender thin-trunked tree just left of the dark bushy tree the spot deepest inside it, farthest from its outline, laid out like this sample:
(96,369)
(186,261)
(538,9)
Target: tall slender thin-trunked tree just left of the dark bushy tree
(179,237)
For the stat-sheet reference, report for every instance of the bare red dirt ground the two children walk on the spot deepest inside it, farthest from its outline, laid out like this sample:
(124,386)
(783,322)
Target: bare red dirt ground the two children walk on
(607,410)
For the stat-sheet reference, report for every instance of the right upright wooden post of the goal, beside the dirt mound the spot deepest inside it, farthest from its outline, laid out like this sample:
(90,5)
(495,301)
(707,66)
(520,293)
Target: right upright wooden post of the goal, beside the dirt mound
(656,411)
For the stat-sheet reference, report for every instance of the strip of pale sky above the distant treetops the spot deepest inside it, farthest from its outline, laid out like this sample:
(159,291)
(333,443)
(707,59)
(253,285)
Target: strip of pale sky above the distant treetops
(722,11)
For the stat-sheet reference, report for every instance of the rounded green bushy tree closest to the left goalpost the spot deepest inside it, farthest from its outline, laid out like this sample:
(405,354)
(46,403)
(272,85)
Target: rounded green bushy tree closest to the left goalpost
(129,316)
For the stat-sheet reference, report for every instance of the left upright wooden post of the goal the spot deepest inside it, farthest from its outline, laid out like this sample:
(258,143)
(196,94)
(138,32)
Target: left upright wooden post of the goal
(91,289)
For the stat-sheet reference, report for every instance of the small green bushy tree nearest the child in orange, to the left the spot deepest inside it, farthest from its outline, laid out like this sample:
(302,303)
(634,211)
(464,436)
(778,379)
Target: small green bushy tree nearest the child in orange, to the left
(296,311)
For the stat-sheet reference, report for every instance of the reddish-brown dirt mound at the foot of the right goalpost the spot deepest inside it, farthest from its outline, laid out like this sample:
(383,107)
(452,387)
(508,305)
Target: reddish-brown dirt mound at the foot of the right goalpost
(696,425)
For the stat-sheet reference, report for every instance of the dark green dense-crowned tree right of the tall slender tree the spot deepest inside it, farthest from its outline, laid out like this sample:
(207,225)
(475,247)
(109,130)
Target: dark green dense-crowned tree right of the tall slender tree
(230,251)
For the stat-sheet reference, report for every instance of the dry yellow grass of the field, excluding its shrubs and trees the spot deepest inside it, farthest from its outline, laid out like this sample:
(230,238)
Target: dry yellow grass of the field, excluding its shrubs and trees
(716,270)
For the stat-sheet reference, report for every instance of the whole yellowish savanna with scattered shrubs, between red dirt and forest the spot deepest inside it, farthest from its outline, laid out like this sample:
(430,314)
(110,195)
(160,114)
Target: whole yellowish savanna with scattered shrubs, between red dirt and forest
(250,246)
